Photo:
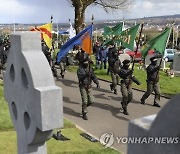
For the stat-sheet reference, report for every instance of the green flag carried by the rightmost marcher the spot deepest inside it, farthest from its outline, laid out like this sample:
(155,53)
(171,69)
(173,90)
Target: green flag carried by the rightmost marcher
(158,43)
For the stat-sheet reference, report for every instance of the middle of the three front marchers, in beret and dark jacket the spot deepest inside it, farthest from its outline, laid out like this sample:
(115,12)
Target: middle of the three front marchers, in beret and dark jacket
(126,88)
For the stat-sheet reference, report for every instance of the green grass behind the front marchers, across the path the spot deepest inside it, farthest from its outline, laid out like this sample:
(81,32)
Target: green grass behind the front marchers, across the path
(169,86)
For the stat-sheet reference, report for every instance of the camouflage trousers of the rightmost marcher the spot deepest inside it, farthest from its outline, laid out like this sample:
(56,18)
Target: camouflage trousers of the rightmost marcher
(150,88)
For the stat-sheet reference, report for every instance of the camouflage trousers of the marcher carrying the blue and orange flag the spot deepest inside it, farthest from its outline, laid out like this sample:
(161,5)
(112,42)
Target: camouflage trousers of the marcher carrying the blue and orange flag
(87,97)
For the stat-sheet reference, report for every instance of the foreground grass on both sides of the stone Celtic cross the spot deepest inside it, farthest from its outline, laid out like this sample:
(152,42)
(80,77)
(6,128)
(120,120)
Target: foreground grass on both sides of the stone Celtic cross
(76,145)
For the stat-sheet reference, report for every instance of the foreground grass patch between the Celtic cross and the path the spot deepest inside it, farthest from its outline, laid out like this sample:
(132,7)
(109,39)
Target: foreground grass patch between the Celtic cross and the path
(76,145)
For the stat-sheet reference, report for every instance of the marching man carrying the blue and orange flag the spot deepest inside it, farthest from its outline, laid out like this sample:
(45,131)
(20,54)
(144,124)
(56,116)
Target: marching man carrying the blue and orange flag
(85,76)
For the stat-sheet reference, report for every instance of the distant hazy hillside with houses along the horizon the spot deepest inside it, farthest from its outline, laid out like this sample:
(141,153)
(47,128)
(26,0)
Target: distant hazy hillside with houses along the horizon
(149,21)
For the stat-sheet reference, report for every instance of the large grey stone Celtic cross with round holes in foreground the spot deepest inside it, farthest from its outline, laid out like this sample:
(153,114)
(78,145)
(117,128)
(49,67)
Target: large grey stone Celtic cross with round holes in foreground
(35,103)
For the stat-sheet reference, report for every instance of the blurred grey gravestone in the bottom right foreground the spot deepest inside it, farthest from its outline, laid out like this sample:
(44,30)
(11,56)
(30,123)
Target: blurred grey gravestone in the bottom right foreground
(164,126)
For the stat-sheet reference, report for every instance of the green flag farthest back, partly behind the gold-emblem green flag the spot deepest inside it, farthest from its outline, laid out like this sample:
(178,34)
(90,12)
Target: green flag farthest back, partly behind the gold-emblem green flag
(114,30)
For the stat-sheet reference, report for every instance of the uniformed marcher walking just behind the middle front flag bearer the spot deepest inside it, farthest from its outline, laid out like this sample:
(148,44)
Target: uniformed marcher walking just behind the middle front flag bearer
(114,67)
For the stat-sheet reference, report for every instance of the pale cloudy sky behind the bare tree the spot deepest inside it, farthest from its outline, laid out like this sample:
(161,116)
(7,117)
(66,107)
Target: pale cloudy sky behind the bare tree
(39,11)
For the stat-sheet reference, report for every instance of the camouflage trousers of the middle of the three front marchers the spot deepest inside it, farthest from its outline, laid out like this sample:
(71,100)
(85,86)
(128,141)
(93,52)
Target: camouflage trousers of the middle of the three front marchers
(126,95)
